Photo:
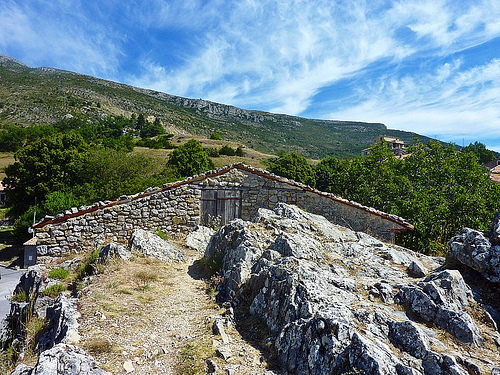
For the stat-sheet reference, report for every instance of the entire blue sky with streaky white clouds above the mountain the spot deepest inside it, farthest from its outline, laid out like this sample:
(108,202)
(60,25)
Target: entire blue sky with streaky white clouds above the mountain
(432,67)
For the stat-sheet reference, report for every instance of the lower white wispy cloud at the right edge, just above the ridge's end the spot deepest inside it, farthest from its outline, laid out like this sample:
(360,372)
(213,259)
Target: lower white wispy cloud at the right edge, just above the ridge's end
(466,105)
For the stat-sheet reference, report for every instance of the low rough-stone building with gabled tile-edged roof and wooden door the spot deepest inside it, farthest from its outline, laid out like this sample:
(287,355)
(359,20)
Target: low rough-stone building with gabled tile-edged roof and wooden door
(234,191)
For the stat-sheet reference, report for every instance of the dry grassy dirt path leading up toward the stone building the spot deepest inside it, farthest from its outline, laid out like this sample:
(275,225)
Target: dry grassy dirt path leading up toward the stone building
(156,318)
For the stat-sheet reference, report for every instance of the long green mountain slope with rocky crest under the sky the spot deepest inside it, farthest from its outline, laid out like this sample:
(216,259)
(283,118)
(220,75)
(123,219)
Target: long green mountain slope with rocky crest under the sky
(44,95)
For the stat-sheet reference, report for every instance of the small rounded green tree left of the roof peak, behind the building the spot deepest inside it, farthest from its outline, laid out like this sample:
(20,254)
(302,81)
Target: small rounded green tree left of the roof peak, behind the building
(189,159)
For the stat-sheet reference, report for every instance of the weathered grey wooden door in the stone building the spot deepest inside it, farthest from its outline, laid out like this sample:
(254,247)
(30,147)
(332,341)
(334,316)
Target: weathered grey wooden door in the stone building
(223,205)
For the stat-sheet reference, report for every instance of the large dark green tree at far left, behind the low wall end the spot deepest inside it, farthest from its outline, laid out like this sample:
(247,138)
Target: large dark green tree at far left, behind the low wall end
(52,163)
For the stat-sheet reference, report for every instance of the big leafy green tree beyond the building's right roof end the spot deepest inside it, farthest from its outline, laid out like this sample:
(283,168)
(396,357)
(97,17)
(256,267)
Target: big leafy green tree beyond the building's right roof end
(449,190)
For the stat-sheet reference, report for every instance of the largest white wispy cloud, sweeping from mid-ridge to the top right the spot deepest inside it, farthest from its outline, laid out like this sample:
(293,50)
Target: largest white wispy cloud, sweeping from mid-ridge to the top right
(277,55)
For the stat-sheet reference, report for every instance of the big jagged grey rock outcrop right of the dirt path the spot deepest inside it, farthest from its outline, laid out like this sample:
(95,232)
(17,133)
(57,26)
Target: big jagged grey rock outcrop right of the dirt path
(337,301)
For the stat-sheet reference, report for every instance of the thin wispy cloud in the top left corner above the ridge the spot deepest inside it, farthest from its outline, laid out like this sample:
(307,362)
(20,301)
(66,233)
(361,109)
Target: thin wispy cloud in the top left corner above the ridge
(58,33)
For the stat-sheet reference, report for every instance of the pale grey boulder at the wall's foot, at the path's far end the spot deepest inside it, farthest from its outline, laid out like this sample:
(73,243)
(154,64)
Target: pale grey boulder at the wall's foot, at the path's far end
(152,245)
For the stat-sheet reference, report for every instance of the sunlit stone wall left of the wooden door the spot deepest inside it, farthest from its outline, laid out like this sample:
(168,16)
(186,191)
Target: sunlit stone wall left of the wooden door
(170,211)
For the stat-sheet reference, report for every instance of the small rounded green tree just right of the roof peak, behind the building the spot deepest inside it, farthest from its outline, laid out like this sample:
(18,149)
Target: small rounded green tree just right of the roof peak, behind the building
(293,166)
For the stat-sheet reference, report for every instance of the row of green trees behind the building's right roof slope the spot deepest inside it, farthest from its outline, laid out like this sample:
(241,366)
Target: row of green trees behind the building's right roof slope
(436,188)
